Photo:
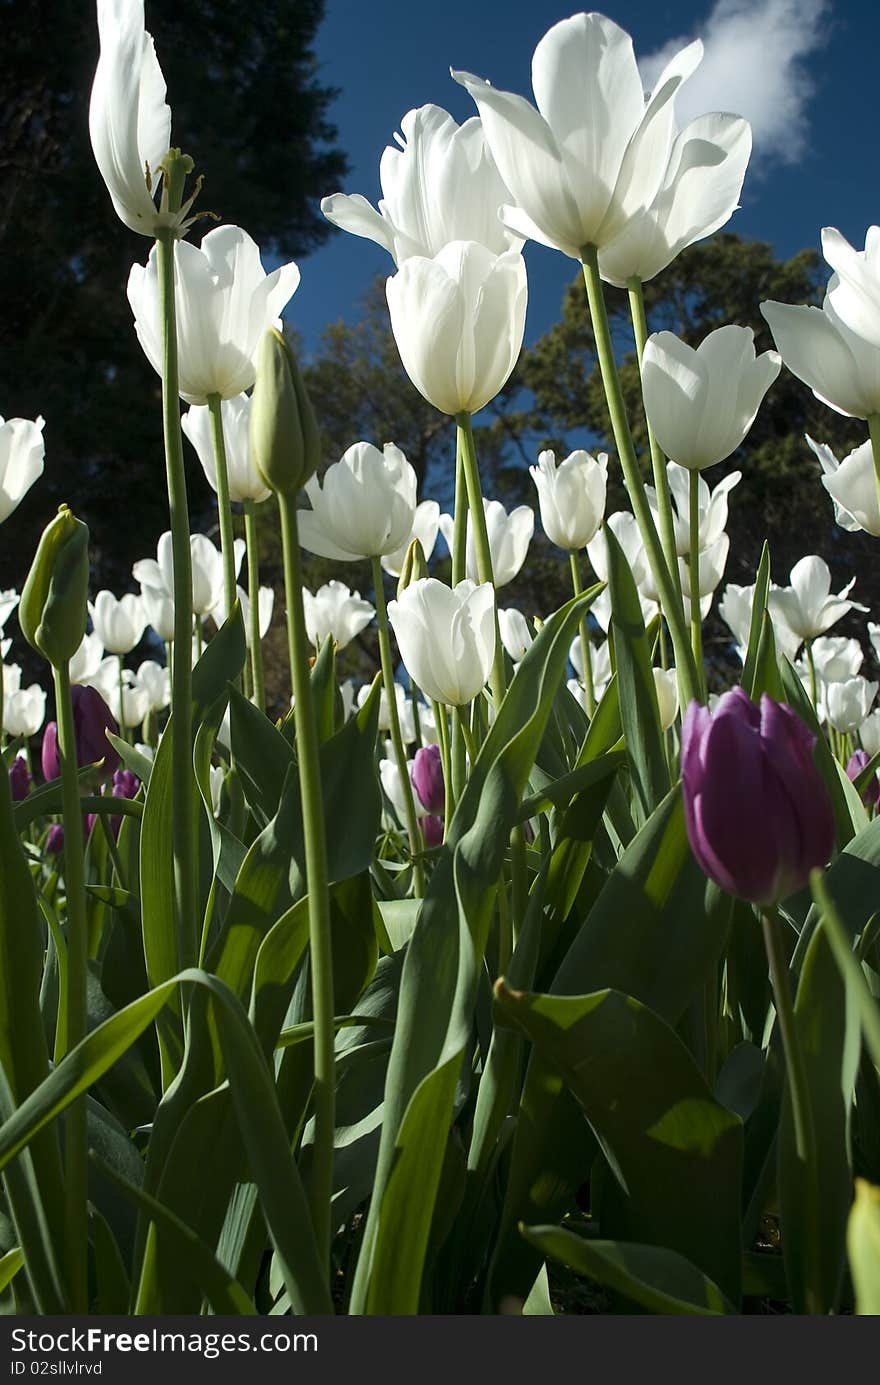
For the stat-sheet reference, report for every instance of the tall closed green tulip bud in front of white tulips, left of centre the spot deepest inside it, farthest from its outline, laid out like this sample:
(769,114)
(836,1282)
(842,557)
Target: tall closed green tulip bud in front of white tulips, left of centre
(285,440)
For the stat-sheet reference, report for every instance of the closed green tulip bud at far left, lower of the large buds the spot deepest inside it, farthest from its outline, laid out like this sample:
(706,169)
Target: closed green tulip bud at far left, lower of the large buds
(55,602)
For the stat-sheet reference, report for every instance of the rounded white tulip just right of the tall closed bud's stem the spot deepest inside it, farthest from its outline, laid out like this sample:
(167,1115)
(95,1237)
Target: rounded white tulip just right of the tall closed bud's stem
(365,506)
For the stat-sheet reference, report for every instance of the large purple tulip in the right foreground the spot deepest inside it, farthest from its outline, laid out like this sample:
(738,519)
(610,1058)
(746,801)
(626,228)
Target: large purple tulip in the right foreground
(759,815)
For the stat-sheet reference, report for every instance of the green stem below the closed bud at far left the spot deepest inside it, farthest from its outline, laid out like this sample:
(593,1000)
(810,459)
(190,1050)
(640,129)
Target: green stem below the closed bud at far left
(77,1138)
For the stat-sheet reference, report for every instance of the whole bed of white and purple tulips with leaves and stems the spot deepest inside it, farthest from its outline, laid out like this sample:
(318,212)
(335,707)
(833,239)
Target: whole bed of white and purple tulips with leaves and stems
(541,974)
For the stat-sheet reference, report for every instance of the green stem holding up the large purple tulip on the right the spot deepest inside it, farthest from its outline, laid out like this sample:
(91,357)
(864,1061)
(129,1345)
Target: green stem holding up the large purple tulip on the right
(799,1096)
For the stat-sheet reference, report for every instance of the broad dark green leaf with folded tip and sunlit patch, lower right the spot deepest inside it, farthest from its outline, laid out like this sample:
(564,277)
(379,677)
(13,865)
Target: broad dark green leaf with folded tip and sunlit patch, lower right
(676,1153)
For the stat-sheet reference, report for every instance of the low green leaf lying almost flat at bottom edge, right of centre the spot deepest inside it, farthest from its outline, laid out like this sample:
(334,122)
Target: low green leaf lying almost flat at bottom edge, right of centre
(659,1280)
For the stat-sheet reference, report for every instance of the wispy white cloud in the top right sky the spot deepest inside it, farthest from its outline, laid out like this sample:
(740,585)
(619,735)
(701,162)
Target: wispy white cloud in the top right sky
(755,67)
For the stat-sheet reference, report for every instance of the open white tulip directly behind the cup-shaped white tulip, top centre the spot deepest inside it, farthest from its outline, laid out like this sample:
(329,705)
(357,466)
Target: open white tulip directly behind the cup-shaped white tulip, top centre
(441,185)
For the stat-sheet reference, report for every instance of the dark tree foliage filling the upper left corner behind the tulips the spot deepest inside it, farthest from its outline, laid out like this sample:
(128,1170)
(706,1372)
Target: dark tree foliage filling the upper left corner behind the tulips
(249,105)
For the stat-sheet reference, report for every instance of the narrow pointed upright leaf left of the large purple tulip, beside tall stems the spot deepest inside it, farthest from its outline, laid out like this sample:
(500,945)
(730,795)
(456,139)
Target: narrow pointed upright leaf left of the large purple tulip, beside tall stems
(638,693)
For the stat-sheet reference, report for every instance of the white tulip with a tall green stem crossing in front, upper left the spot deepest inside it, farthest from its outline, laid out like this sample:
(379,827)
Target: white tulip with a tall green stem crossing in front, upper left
(225,304)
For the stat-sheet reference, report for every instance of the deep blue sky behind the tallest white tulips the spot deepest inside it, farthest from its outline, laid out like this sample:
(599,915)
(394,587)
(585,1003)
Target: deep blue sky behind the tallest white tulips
(803,71)
